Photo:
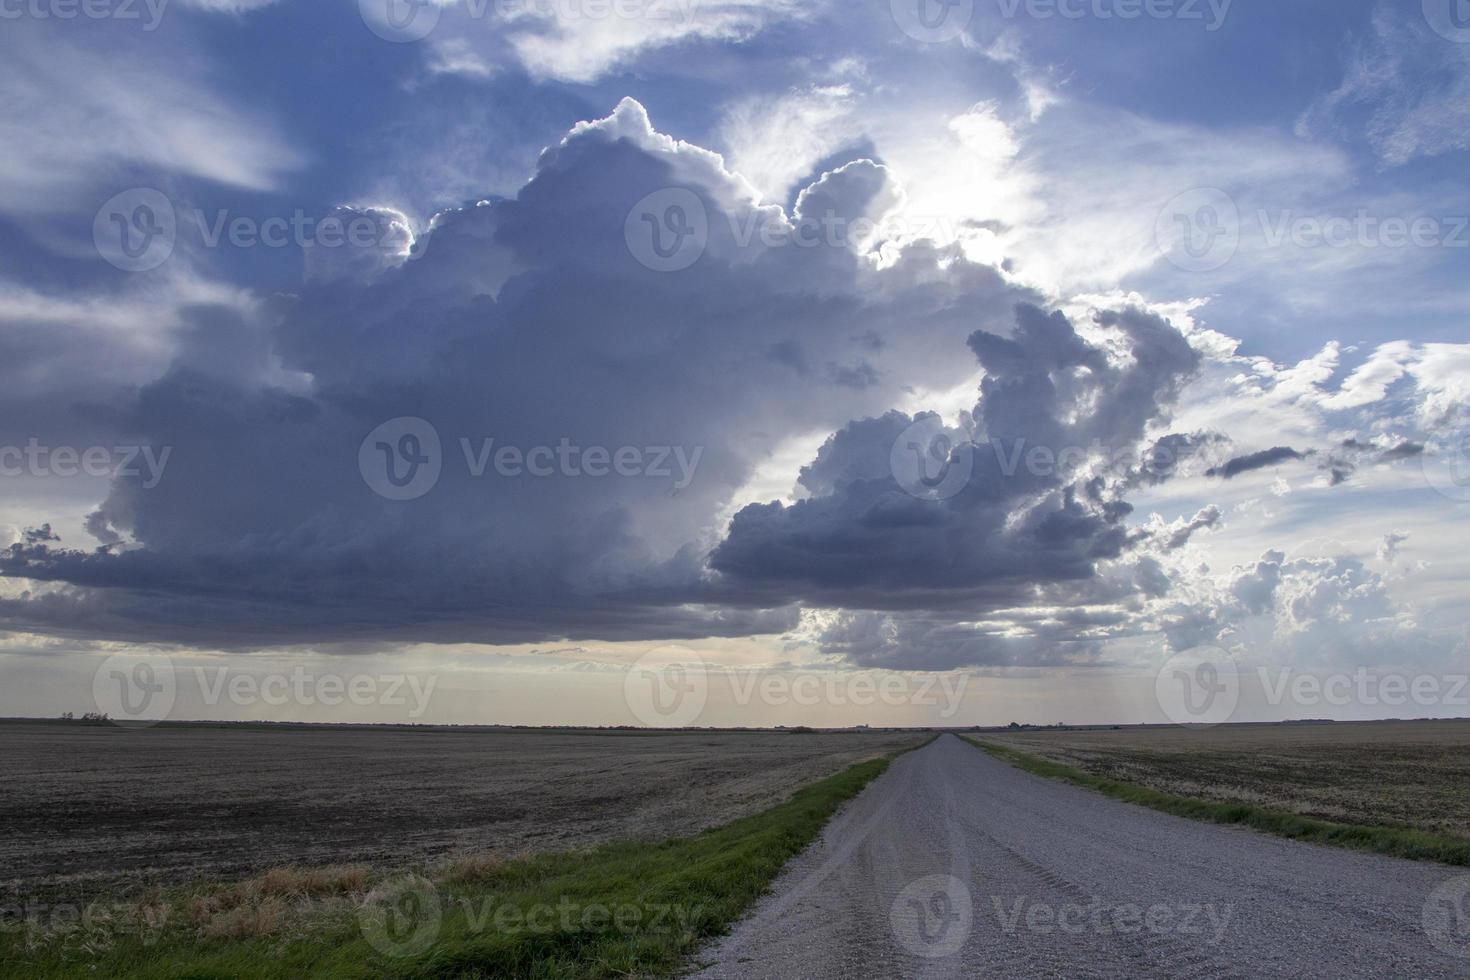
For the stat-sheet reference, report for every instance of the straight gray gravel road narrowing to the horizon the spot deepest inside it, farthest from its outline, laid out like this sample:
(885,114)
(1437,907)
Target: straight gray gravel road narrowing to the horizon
(955,865)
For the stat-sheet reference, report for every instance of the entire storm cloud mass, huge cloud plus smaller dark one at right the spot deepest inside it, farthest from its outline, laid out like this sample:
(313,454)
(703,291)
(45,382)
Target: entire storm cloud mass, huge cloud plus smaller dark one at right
(656,389)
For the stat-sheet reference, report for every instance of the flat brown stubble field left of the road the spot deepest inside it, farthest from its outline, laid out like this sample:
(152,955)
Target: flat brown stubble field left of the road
(105,810)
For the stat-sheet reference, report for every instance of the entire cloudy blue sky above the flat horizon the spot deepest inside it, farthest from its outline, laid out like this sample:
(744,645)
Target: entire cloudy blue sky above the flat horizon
(734,362)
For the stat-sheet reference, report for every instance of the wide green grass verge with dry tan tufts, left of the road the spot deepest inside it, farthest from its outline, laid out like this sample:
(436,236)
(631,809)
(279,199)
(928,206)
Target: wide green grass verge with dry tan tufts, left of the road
(618,910)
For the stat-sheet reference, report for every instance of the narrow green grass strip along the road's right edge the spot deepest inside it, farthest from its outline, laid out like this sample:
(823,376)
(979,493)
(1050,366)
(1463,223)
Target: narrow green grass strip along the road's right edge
(1400,843)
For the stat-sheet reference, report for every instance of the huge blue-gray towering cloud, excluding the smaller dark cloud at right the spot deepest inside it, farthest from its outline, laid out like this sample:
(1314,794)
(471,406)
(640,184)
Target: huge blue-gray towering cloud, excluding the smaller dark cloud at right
(528,323)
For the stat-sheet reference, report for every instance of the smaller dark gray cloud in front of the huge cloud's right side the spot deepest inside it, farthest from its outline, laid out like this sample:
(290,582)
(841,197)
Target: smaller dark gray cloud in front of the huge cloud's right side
(861,540)
